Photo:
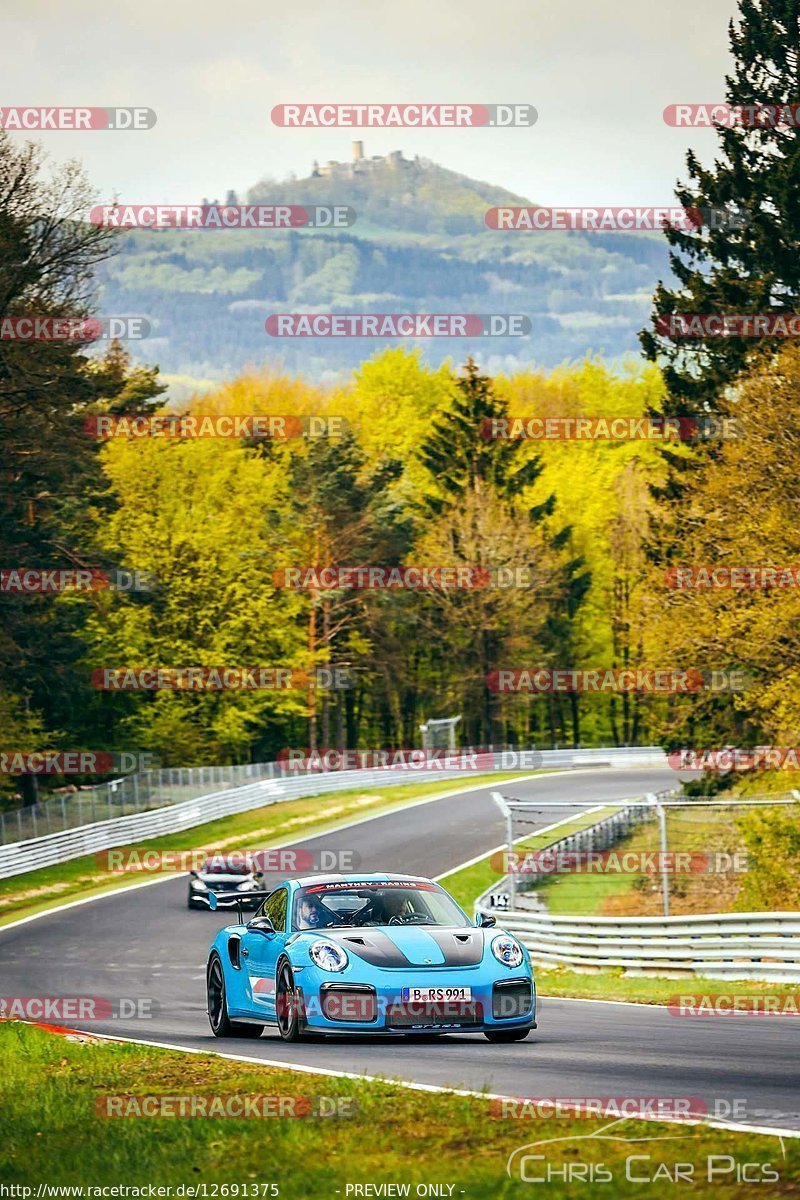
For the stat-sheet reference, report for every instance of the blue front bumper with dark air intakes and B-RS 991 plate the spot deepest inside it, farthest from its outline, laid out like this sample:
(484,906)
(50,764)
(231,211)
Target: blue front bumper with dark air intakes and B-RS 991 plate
(357,1006)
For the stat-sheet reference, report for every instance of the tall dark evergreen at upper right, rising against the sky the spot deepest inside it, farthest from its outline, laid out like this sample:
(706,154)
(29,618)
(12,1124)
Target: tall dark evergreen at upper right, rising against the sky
(749,260)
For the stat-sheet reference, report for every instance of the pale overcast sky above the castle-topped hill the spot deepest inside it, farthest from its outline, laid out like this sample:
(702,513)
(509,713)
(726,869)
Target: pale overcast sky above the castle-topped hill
(599,74)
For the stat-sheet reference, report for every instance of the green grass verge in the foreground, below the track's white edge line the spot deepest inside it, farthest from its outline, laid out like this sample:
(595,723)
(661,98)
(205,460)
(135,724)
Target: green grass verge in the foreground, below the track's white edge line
(52,1089)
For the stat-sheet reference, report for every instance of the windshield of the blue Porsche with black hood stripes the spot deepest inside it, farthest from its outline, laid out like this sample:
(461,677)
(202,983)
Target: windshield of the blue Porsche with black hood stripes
(392,903)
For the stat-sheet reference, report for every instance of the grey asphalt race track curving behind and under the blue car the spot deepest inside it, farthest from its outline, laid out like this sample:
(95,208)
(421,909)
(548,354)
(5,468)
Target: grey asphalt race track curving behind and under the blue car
(147,944)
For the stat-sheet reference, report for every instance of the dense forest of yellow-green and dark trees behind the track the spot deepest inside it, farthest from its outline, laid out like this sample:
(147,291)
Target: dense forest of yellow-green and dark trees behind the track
(596,526)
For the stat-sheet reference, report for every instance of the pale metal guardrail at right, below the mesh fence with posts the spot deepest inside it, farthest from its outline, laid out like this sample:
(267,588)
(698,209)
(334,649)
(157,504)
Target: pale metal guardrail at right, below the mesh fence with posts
(762,946)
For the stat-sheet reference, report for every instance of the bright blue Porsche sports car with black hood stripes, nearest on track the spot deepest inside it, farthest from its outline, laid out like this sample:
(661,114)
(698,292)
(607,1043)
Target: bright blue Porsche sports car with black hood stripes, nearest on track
(368,953)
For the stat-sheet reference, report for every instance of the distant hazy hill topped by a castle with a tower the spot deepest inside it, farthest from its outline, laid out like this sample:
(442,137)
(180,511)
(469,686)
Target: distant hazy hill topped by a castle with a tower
(419,245)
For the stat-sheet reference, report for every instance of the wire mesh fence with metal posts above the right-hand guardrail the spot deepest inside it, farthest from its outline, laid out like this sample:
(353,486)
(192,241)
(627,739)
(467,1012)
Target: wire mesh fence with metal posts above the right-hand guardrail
(659,855)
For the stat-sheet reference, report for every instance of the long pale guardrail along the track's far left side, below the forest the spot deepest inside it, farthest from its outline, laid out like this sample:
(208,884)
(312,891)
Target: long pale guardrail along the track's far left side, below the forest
(59,848)
